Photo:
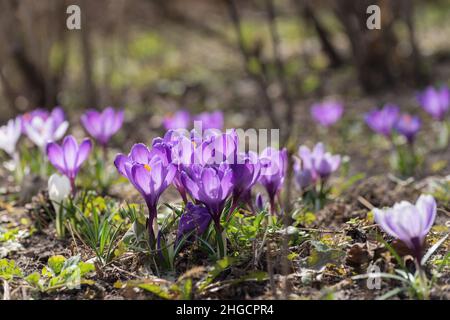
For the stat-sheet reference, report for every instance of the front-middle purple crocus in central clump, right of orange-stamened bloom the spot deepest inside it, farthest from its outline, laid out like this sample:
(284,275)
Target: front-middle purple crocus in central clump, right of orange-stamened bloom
(210,185)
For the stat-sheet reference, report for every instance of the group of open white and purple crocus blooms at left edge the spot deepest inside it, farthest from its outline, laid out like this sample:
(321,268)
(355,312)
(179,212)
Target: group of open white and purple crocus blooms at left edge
(44,128)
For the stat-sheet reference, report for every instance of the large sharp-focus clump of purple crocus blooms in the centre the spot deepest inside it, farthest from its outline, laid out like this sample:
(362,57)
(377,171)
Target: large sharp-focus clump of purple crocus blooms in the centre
(207,169)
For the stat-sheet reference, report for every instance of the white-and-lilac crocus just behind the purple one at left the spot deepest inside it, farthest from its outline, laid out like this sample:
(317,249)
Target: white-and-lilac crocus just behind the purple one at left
(42,127)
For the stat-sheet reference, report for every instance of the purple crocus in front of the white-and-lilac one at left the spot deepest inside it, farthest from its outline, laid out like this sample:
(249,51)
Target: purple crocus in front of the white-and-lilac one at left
(68,157)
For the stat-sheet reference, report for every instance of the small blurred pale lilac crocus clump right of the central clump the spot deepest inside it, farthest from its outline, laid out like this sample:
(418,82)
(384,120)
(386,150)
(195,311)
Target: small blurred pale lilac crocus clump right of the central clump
(312,170)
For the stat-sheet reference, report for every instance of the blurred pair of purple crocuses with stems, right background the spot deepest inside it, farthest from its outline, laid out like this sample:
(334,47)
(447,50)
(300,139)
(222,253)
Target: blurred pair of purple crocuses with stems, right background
(393,125)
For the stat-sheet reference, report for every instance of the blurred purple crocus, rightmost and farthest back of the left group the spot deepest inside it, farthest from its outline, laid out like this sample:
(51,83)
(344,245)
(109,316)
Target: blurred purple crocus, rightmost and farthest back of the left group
(102,125)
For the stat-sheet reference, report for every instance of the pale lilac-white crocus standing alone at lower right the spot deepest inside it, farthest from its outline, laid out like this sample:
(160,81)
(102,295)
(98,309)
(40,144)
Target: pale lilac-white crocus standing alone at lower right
(408,222)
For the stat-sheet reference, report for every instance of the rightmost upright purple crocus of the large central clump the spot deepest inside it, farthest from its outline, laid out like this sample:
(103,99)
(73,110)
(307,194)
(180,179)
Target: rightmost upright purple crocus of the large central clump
(273,170)
